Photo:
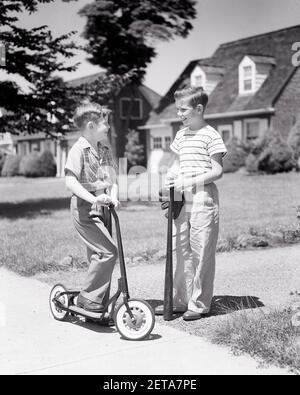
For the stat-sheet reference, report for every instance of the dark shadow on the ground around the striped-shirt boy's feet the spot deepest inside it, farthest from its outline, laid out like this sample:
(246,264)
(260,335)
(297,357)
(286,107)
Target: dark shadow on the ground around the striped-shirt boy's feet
(223,304)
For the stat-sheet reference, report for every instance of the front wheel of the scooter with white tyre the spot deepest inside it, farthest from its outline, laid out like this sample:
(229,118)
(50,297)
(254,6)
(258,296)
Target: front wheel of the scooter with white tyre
(142,323)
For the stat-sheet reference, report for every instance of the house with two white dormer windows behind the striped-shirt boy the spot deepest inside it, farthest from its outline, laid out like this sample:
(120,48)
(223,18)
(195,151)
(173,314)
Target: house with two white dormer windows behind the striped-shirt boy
(253,87)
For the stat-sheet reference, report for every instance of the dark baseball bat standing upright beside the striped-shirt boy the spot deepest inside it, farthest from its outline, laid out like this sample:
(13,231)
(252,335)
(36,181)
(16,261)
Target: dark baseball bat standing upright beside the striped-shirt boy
(168,295)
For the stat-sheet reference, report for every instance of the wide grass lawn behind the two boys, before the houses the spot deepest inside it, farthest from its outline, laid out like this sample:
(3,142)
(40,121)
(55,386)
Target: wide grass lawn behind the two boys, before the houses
(36,231)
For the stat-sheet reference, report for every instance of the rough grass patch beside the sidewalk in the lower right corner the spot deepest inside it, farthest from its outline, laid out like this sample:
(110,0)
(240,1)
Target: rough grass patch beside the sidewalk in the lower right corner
(272,338)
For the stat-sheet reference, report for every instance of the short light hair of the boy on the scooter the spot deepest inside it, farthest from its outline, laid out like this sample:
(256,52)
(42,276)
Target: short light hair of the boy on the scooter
(89,112)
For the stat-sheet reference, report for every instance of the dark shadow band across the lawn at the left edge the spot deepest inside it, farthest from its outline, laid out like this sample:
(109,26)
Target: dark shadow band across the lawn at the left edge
(33,208)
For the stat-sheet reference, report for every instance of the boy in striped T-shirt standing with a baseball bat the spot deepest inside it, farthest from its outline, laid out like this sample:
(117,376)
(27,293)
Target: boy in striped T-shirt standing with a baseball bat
(198,150)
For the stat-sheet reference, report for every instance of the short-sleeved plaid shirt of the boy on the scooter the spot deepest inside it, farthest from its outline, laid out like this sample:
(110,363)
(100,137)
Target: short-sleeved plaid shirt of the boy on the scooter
(91,168)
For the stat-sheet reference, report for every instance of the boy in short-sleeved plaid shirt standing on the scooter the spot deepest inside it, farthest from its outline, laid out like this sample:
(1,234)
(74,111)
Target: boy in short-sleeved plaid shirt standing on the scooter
(91,177)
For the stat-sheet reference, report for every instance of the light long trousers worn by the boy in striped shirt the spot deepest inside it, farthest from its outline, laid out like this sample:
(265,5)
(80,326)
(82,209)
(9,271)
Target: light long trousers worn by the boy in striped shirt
(195,235)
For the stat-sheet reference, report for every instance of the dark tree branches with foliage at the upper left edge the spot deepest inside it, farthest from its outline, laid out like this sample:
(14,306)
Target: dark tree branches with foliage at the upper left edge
(35,55)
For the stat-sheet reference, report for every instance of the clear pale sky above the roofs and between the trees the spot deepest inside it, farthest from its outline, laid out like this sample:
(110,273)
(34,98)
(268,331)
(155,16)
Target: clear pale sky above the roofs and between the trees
(217,22)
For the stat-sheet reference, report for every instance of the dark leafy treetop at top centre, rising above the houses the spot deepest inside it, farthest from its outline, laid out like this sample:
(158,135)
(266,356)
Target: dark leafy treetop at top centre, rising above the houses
(122,33)
